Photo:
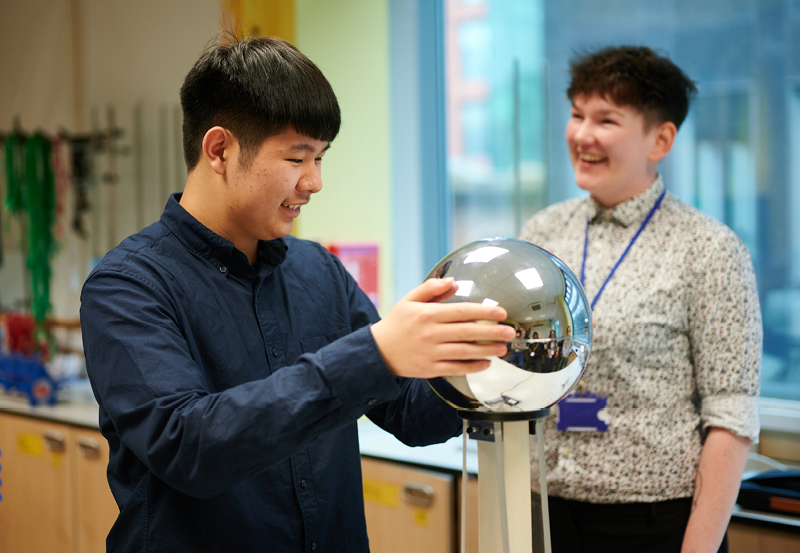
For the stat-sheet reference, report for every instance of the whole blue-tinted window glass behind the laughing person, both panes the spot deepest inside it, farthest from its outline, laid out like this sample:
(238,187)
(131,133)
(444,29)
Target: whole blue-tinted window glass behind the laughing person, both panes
(736,158)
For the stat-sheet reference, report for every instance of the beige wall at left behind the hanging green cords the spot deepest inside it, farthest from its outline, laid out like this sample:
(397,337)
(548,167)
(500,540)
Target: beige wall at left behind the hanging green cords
(129,56)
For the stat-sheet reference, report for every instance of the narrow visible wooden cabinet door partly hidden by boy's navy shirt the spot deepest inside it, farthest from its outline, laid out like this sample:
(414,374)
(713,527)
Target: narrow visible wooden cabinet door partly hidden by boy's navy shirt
(96,507)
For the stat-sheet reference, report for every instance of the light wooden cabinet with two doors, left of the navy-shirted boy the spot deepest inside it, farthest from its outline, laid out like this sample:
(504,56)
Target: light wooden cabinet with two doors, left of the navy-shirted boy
(55,495)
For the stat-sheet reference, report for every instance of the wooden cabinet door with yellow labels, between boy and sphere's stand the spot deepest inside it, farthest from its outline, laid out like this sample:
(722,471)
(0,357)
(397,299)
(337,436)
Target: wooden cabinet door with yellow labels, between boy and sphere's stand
(408,509)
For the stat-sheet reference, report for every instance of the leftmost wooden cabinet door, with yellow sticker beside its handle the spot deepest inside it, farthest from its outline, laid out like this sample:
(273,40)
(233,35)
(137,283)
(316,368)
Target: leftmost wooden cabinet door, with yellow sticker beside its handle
(36,508)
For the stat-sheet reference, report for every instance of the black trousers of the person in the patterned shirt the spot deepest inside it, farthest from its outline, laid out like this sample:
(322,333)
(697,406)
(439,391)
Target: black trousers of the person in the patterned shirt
(578,527)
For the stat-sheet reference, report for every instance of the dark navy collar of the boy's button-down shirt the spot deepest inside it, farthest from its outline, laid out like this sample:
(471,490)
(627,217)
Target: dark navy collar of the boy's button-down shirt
(211,246)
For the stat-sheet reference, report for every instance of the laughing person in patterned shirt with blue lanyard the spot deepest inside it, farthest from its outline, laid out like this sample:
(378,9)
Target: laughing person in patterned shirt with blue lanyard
(677,348)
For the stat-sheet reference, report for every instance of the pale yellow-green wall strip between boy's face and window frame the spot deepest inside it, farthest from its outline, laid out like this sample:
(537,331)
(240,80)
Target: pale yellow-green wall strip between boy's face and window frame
(349,41)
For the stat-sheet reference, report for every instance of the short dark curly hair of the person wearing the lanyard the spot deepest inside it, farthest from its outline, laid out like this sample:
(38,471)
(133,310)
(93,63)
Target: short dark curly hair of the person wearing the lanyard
(634,76)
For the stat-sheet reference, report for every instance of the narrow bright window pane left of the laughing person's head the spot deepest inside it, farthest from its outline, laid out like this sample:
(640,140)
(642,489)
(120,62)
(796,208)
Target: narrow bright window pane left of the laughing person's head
(495,115)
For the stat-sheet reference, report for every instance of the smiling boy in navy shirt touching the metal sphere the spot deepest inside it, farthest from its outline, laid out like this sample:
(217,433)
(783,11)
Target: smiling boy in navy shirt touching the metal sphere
(231,361)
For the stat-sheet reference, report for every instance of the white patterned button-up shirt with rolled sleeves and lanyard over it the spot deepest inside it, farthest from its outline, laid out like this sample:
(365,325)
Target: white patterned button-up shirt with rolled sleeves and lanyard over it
(677,346)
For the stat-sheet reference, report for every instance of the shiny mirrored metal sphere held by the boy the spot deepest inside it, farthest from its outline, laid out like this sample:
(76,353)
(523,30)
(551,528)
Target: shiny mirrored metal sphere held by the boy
(546,305)
